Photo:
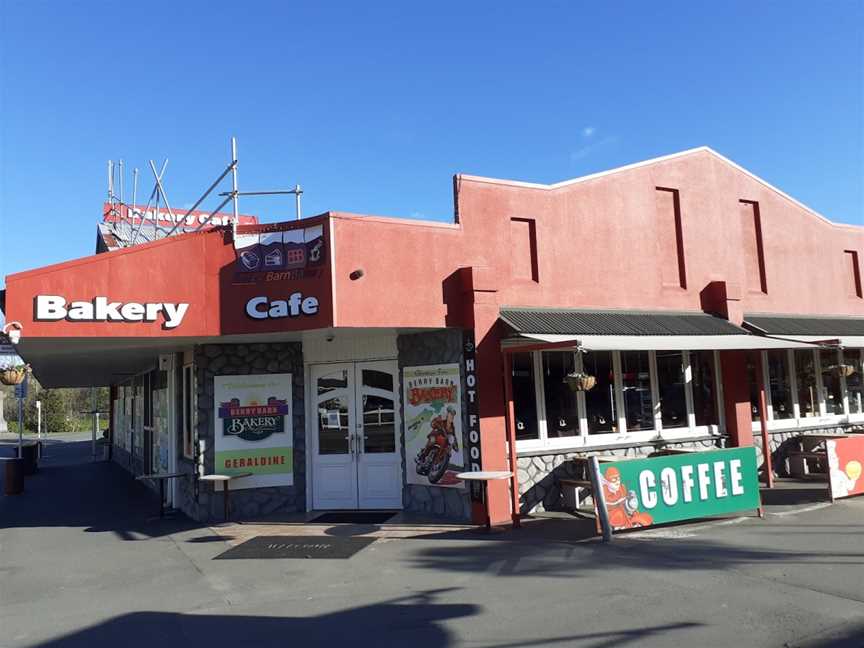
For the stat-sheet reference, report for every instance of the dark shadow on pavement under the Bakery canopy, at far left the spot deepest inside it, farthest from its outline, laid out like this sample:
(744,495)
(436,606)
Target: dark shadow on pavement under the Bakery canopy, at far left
(71,490)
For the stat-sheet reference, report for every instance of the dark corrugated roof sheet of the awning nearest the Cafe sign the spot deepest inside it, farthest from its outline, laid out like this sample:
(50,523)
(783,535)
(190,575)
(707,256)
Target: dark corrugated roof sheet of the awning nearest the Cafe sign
(615,322)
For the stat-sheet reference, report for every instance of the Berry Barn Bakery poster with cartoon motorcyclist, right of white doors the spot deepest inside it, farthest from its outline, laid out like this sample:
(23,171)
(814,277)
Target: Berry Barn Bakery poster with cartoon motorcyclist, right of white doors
(433,425)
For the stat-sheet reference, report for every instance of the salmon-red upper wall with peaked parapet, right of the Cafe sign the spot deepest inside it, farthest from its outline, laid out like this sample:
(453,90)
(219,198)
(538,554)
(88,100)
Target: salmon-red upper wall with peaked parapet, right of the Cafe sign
(597,247)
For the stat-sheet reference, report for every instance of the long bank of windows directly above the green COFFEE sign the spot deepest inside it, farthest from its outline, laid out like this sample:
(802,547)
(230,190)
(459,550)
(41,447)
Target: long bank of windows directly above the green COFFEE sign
(642,393)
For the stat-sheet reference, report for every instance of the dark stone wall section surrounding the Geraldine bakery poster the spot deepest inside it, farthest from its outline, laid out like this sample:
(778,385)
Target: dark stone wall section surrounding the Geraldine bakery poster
(237,360)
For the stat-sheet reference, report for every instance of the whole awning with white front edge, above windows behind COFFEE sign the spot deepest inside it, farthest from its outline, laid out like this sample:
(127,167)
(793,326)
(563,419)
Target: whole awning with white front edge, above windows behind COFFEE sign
(606,330)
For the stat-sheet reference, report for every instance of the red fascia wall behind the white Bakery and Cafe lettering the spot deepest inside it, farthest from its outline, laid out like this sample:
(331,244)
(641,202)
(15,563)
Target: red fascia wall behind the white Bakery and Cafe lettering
(198,269)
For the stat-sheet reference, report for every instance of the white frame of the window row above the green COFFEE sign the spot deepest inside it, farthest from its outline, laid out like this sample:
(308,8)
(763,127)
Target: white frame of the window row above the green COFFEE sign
(545,443)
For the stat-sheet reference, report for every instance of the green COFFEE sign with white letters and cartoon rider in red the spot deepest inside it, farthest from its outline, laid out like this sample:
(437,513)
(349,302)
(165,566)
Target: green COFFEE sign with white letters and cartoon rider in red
(656,490)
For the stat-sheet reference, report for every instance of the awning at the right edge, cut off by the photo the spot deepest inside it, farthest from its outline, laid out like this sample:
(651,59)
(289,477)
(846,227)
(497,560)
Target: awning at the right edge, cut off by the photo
(839,331)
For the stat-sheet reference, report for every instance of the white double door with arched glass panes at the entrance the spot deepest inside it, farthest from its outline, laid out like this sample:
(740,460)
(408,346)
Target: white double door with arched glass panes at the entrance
(354,440)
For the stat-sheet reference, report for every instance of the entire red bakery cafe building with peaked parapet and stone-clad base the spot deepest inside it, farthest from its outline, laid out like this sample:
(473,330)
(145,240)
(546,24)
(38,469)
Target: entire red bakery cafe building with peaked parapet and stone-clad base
(348,361)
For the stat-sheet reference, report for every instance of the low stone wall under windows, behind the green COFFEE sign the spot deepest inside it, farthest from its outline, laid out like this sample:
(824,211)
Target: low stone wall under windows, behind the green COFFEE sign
(539,488)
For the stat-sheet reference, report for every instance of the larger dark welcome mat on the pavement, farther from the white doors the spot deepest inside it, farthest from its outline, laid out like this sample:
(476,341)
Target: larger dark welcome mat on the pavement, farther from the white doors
(297,547)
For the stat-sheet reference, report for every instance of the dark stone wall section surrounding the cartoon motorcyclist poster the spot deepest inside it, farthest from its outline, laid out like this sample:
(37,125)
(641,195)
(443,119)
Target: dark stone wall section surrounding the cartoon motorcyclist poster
(417,349)
